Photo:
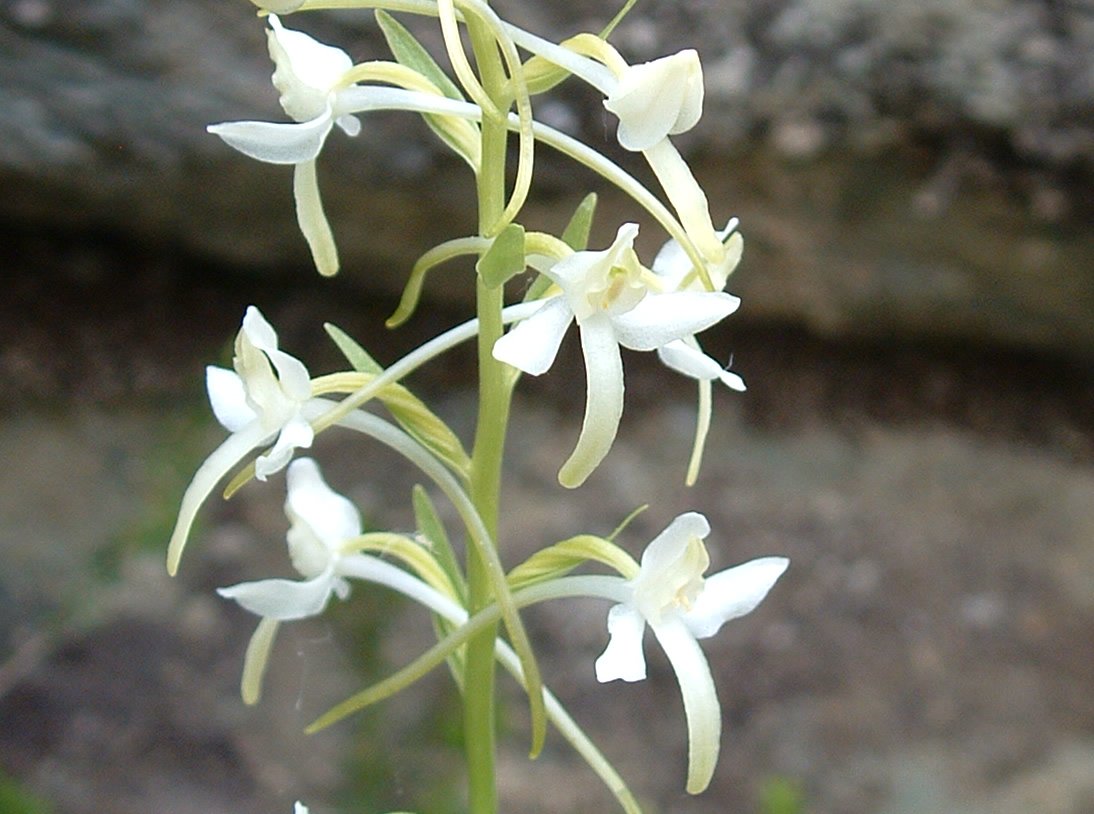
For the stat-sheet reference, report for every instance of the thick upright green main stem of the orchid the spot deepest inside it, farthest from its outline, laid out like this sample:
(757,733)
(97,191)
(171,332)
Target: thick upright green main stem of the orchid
(480,702)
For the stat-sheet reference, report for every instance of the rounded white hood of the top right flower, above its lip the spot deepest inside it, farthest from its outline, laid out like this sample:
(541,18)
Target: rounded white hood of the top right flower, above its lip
(655,100)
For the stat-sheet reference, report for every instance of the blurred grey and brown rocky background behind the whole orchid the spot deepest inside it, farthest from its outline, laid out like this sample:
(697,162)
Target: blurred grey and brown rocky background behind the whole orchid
(915,189)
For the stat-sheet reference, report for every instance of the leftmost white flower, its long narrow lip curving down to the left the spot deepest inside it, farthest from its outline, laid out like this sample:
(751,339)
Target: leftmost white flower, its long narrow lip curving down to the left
(262,400)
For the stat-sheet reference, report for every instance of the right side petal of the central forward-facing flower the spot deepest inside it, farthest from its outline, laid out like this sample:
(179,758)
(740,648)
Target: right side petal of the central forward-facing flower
(661,319)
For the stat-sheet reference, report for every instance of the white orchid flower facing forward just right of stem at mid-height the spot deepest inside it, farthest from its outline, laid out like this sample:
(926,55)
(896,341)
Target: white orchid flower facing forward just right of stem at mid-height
(615,303)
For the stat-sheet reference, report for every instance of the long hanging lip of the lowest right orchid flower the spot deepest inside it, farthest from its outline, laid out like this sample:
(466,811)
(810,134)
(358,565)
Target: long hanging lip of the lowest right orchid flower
(701,702)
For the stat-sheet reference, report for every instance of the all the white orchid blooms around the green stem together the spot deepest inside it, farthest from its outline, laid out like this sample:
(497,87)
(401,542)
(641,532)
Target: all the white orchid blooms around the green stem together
(270,400)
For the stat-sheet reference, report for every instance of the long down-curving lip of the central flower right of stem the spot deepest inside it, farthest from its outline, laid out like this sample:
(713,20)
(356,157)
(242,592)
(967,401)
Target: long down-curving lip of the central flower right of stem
(604,390)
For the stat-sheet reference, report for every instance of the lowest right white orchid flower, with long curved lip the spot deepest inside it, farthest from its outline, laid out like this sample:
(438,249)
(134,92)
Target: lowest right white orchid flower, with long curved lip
(681,607)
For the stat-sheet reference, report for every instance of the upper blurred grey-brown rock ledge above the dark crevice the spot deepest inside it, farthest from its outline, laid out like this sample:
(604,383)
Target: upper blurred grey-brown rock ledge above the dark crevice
(901,168)
